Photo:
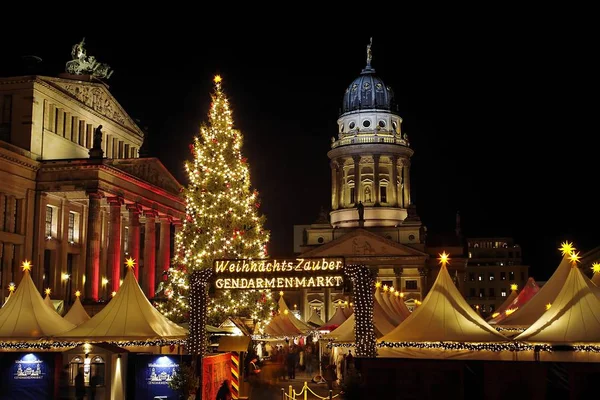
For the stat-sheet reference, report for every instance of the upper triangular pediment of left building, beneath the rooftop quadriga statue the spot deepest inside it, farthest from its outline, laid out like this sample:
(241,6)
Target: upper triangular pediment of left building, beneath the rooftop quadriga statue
(96,97)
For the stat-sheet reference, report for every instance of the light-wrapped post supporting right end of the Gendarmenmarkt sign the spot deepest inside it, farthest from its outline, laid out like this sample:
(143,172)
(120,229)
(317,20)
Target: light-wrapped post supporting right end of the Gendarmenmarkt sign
(362,283)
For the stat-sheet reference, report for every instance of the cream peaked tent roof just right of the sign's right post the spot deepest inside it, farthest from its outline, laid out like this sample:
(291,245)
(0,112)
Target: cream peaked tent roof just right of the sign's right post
(444,315)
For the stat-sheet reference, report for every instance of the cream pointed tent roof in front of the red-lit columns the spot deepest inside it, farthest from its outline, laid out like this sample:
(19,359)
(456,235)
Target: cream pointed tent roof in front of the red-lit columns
(128,316)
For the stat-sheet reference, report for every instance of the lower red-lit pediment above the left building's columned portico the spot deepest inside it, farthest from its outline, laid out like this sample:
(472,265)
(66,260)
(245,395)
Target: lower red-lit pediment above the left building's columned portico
(150,170)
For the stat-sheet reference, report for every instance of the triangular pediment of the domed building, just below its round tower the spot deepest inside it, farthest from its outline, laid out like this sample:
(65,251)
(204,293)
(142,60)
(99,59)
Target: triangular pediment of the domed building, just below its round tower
(362,243)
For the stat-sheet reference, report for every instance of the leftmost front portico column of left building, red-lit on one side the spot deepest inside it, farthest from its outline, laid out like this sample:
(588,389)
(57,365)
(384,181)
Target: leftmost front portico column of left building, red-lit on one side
(92,264)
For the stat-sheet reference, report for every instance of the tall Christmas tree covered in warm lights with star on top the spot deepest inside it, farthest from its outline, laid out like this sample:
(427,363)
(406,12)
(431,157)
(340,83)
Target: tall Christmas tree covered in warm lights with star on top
(222,220)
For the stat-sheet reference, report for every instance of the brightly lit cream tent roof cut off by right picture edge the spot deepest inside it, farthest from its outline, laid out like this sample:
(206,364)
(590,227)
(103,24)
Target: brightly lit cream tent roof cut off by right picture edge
(573,317)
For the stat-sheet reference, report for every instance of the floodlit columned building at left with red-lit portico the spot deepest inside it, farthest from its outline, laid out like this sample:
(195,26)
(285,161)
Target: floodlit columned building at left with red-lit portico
(76,198)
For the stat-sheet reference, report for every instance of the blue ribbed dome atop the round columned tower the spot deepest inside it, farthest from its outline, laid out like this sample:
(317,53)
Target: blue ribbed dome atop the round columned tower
(368,92)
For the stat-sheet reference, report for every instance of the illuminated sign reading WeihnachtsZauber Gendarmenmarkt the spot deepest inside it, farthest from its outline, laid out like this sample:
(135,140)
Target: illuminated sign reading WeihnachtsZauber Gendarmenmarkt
(301,272)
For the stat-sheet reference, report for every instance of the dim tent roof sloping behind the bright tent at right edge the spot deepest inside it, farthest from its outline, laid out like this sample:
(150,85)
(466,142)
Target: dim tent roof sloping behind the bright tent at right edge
(534,308)
